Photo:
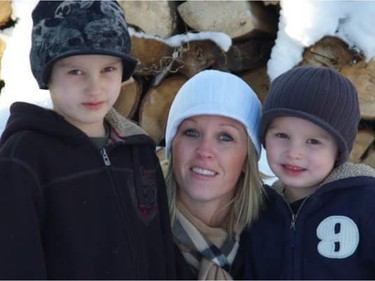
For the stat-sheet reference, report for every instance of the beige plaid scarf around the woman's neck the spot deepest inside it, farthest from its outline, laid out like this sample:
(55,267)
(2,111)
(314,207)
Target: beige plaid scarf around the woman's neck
(209,251)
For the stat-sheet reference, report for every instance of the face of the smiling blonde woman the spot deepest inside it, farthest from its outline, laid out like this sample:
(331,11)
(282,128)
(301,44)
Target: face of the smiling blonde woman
(209,154)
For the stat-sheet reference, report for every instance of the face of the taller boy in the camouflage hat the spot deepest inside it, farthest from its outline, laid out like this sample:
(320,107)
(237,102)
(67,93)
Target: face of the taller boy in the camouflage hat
(83,89)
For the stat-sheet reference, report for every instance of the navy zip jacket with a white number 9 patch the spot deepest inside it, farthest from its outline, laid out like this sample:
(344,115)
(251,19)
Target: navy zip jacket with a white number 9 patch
(332,235)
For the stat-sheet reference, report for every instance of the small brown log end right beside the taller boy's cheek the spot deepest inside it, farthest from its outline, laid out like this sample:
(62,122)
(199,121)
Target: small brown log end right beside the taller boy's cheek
(129,98)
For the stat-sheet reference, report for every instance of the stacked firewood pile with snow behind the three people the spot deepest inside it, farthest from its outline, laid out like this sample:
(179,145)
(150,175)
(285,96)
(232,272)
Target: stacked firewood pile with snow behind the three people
(173,40)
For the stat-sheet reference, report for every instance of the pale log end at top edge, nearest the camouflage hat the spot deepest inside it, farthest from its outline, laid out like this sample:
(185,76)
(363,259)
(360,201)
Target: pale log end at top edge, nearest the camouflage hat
(152,17)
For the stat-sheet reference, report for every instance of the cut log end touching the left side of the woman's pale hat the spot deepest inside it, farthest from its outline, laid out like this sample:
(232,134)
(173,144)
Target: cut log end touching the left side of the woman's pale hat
(154,108)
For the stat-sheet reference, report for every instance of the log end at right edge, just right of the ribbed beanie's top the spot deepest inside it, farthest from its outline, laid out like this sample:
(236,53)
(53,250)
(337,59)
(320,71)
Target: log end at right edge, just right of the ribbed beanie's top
(362,75)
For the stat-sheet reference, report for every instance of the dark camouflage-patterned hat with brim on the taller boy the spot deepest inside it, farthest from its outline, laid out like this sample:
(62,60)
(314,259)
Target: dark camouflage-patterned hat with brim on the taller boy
(67,28)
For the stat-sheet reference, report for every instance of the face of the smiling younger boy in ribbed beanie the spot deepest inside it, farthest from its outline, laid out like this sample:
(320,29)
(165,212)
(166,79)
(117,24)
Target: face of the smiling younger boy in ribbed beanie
(300,153)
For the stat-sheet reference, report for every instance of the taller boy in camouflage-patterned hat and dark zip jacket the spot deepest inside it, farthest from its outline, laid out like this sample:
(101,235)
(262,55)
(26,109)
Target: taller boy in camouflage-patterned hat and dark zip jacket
(82,192)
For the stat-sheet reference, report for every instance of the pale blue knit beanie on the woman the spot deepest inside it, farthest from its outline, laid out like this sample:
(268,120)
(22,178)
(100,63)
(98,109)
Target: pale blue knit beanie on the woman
(213,92)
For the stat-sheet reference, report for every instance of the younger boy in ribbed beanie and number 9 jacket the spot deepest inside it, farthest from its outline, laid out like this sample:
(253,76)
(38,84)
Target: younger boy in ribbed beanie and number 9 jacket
(318,222)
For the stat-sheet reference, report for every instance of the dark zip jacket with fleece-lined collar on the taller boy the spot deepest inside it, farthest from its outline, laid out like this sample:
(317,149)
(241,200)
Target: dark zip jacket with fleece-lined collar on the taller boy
(69,210)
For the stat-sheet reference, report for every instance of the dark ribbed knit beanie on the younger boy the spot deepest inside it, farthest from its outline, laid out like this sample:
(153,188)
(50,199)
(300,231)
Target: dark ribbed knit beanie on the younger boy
(320,95)
